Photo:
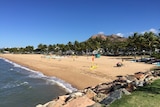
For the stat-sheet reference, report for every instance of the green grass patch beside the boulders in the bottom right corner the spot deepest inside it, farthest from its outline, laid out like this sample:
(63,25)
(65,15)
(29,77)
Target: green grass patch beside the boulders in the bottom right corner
(147,96)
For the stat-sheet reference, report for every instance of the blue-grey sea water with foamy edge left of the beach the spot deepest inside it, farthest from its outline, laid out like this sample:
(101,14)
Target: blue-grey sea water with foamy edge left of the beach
(22,87)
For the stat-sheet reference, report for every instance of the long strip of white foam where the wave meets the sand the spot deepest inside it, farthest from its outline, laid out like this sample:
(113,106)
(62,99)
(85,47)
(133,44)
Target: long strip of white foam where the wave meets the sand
(35,74)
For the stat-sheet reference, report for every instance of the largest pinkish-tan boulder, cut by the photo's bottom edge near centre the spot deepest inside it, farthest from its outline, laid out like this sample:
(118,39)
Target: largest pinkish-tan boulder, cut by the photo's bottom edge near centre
(83,101)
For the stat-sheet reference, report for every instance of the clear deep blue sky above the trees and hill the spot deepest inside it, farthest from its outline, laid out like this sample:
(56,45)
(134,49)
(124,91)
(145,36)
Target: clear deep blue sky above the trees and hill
(31,22)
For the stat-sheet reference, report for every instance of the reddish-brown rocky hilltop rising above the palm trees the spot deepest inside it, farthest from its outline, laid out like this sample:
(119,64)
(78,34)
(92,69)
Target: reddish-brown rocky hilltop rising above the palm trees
(112,37)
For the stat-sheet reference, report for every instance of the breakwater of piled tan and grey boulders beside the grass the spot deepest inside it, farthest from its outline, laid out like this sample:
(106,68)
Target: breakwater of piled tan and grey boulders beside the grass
(105,93)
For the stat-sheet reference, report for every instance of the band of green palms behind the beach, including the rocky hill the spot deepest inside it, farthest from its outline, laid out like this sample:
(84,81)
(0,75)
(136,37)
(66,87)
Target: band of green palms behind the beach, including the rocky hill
(136,44)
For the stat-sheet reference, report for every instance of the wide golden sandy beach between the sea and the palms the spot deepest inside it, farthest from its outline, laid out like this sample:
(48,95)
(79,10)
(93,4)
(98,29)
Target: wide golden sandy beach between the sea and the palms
(77,70)
